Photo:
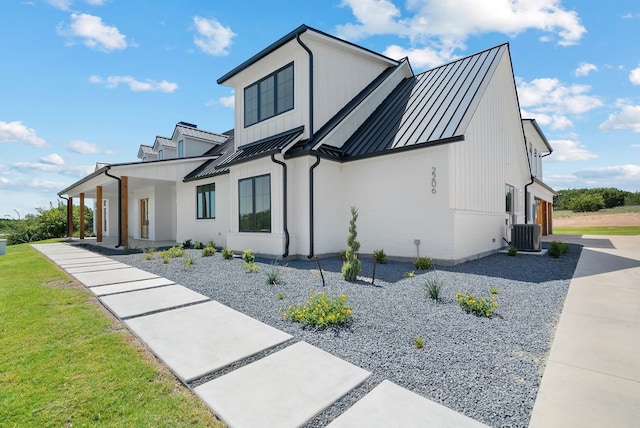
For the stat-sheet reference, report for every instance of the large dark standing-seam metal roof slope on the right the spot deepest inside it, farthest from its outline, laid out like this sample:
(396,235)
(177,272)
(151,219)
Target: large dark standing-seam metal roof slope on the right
(426,108)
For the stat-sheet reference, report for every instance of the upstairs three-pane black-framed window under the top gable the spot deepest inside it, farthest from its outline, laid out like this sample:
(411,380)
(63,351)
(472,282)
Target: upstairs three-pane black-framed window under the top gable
(269,97)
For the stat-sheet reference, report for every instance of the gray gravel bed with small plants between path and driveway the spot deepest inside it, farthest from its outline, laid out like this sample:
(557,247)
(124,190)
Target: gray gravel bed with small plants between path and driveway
(486,368)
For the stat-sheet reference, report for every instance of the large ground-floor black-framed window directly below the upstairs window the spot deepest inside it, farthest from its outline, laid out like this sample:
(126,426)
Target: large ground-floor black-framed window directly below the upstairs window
(254,196)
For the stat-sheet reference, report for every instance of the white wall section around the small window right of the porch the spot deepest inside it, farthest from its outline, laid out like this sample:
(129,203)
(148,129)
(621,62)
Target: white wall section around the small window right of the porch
(203,230)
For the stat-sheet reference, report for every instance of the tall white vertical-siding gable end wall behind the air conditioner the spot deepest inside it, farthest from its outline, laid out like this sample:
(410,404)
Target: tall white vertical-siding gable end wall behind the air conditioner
(492,155)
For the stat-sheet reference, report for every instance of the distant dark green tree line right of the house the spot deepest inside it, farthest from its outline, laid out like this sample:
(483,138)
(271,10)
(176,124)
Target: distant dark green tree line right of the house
(583,200)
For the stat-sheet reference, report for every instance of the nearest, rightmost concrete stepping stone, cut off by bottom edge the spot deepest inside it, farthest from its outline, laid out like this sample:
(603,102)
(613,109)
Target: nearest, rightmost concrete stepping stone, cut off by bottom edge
(390,405)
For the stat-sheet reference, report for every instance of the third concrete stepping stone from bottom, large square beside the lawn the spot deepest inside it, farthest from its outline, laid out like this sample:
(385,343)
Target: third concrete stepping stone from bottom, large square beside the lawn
(199,339)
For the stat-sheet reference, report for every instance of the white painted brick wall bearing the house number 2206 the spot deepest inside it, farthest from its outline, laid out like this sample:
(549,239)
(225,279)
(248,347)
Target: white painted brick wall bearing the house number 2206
(395,198)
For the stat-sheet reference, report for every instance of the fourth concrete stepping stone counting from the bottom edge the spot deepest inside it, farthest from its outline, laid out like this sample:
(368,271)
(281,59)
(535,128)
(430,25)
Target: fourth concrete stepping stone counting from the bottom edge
(153,299)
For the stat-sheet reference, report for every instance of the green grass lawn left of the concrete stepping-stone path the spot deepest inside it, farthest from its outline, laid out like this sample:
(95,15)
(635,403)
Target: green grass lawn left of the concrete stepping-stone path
(65,361)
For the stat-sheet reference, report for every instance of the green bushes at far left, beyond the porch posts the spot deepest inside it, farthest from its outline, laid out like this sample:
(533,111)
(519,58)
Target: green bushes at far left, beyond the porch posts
(46,224)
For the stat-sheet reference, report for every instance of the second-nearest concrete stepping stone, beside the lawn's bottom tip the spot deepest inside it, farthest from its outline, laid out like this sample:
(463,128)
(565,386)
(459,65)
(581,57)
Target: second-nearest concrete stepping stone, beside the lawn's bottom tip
(285,389)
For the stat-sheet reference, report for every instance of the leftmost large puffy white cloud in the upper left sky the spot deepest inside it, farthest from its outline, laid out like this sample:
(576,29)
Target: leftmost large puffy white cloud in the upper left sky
(95,33)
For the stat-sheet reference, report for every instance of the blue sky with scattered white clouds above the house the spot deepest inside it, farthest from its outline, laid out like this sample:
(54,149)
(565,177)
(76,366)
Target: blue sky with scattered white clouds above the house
(86,81)
